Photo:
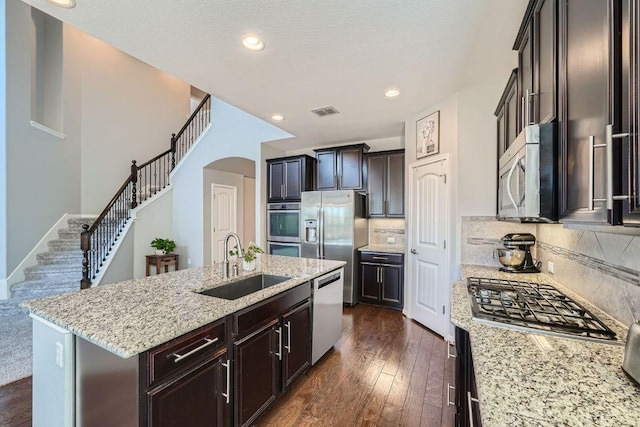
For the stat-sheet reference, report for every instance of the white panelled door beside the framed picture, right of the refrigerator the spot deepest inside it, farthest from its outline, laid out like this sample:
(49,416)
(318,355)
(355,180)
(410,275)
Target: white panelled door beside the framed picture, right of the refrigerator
(428,245)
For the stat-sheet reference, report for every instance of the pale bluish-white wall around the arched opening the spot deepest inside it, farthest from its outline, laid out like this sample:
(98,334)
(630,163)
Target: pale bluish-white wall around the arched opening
(234,133)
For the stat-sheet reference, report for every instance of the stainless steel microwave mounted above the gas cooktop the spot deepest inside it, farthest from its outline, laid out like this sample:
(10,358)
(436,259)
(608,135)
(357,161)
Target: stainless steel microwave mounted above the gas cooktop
(528,178)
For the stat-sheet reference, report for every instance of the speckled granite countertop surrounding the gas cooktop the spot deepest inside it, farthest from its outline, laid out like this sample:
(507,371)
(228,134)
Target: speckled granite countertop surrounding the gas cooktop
(574,383)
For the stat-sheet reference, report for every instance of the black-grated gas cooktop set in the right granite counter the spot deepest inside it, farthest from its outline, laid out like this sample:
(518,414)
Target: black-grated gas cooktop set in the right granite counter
(535,307)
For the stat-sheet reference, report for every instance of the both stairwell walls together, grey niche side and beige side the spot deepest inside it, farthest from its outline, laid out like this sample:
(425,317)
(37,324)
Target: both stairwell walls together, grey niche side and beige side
(115,109)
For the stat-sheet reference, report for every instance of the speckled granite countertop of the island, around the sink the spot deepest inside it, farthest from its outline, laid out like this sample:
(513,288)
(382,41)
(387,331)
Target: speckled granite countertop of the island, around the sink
(133,316)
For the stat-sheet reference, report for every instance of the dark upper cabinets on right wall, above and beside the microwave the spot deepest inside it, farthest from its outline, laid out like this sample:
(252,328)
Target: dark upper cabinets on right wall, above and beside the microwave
(578,66)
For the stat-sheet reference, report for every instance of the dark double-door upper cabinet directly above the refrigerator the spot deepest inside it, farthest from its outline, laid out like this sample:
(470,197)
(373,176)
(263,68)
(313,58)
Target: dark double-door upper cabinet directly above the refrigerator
(341,168)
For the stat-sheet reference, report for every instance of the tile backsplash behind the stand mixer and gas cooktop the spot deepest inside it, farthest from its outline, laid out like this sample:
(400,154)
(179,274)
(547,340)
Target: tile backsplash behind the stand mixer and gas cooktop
(602,268)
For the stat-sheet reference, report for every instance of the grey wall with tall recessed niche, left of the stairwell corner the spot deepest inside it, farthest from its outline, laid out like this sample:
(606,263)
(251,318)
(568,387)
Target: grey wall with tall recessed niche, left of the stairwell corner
(42,170)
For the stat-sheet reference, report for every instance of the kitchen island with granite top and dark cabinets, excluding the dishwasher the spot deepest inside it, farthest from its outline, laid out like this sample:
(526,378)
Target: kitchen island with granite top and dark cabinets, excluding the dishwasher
(151,347)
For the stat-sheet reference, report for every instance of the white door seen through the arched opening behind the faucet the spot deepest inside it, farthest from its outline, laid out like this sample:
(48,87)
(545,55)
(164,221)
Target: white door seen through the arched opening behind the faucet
(223,217)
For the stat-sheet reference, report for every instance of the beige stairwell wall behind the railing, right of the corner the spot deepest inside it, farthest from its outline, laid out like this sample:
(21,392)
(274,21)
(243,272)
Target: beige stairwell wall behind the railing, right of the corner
(129,110)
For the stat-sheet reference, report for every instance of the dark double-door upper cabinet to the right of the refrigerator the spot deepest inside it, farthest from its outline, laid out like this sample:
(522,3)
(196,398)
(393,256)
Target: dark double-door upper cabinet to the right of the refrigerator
(385,184)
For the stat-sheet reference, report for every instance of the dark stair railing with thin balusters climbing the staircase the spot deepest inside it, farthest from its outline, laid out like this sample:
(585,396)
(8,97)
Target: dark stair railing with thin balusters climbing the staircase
(144,181)
